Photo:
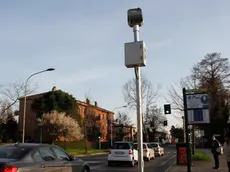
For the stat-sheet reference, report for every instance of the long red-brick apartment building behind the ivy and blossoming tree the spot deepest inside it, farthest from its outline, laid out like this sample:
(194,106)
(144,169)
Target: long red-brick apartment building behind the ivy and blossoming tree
(33,130)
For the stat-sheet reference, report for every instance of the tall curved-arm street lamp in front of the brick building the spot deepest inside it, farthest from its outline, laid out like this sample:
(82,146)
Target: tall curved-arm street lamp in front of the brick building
(24,112)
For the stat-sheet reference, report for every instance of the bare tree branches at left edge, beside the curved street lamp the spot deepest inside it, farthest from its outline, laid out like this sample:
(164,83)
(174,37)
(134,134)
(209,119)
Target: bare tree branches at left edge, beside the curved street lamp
(12,92)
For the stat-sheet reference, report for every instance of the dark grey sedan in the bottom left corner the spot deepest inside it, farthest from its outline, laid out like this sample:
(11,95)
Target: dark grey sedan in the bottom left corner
(38,158)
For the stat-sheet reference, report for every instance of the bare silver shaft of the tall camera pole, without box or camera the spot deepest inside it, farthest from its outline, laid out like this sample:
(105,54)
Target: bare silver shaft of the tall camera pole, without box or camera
(139,108)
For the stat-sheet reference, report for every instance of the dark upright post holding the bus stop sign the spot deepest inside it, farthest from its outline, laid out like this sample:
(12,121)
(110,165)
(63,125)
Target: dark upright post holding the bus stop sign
(186,131)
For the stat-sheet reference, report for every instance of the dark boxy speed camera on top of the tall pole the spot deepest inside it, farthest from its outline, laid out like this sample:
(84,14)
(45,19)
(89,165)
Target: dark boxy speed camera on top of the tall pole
(135,17)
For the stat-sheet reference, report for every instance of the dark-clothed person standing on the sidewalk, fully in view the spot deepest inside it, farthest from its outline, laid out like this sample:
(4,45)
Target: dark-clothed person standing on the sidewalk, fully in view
(215,145)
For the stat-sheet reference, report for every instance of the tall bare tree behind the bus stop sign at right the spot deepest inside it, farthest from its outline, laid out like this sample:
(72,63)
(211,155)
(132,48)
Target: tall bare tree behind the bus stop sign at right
(212,74)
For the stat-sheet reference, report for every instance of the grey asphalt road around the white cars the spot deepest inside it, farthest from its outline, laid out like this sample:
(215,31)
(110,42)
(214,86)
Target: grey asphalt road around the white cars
(160,164)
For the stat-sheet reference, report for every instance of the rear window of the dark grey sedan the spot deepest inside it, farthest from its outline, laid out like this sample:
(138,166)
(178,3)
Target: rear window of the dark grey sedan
(13,152)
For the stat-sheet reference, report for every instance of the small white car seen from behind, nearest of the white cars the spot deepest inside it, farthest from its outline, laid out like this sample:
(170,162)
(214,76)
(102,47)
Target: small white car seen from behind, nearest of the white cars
(123,152)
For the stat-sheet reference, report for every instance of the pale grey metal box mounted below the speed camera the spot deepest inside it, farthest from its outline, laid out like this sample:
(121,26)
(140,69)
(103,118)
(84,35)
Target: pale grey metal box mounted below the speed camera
(135,54)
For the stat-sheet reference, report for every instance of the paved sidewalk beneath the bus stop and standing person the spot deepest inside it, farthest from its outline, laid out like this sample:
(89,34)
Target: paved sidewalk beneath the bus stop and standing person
(202,166)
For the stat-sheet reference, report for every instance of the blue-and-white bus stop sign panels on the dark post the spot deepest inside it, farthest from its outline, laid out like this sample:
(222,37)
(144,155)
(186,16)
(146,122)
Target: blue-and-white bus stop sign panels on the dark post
(197,108)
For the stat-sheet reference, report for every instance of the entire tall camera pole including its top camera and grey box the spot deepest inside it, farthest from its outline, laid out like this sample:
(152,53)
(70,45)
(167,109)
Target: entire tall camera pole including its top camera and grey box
(135,58)
